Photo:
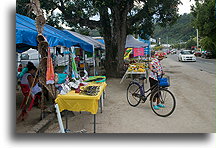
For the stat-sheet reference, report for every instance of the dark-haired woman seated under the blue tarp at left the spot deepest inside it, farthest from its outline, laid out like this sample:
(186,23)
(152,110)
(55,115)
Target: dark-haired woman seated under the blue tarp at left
(28,78)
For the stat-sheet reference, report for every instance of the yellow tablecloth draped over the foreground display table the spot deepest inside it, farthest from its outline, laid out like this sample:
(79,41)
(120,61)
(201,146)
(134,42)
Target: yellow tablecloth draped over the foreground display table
(77,102)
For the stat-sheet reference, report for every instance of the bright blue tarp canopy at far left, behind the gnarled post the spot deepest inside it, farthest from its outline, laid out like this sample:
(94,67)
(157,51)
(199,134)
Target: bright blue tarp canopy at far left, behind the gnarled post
(26,34)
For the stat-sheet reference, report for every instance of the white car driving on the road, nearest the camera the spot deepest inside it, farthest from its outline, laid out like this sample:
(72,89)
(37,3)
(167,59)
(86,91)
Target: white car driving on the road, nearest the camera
(186,55)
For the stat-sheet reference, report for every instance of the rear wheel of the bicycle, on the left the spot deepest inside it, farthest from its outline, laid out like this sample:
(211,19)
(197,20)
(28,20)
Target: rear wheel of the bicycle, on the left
(133,94)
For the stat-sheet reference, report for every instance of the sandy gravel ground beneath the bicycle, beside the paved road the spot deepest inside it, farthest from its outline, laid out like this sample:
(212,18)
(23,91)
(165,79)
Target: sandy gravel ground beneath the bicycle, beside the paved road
(195,112)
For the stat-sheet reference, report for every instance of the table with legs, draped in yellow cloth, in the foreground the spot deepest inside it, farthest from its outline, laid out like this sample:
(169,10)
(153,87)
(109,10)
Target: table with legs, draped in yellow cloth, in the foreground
(83,101)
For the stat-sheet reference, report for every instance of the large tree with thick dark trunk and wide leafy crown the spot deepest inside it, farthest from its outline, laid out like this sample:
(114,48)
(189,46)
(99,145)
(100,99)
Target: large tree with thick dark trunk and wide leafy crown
(117,19)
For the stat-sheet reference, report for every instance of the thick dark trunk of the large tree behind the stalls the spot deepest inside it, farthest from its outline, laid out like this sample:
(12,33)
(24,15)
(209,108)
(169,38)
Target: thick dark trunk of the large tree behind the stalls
(115,45)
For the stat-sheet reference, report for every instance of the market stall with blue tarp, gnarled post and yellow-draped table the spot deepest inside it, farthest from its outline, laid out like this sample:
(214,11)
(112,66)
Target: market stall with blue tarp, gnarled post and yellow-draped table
(77,98)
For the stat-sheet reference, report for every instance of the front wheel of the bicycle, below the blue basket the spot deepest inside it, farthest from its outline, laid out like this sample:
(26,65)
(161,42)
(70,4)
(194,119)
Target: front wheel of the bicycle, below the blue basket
(166,98)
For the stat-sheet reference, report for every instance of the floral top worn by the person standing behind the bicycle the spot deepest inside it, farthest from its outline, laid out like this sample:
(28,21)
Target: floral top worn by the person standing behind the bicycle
(156,64)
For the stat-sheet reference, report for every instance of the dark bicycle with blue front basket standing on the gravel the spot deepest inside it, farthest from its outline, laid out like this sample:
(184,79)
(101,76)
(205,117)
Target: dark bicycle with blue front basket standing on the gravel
(136,93)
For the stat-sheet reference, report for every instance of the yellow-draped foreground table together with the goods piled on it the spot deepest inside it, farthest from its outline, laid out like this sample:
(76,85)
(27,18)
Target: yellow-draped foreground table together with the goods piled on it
(80,93)
